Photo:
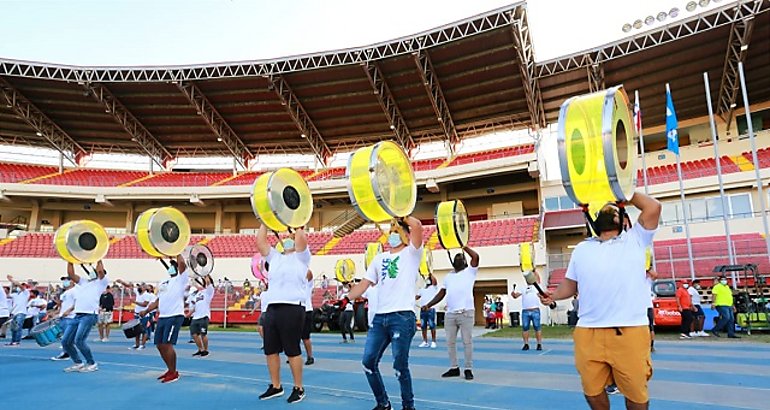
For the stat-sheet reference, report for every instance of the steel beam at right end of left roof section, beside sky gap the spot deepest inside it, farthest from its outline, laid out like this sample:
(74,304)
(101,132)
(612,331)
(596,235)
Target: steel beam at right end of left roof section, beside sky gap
(525,52)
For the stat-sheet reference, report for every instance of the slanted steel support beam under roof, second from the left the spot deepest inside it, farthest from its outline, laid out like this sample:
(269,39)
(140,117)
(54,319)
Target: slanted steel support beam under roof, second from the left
(139,134)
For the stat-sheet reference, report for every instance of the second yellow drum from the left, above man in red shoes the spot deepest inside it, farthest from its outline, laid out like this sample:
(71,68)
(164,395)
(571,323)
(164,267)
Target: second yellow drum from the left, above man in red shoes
(169,231)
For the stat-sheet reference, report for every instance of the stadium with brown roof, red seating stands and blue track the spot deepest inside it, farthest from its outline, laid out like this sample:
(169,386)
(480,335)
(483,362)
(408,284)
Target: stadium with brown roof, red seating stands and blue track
(452,87)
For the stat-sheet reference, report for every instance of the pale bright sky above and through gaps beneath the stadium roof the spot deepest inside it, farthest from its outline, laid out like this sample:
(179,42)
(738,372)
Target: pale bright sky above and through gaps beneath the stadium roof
(178,32)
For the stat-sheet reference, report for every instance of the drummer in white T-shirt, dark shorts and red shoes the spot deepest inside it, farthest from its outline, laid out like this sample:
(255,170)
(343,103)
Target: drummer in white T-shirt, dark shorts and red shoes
(170,305)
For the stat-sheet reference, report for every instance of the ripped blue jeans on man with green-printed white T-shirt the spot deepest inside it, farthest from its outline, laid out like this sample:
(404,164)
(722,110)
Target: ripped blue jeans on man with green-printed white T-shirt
(397,328)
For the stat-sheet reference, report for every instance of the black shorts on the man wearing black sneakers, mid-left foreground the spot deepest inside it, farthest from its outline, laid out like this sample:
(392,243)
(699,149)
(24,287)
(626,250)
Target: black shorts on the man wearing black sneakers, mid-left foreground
(282,328)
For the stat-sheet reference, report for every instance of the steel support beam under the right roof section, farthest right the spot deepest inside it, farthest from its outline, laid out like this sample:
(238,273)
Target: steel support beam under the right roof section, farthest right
(737,50)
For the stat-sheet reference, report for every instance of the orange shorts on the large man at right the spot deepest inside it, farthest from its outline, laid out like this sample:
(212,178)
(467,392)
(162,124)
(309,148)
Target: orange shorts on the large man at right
(602,356)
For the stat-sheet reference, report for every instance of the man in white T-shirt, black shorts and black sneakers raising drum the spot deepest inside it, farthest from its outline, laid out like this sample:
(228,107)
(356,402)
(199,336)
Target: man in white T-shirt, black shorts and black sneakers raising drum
(285,315)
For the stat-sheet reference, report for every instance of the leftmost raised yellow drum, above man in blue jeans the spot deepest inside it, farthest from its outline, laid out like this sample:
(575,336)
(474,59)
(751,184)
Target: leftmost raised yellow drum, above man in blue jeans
(81,242)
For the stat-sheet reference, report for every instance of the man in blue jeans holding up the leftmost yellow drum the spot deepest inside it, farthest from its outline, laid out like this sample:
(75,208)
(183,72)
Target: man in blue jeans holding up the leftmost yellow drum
(86,310)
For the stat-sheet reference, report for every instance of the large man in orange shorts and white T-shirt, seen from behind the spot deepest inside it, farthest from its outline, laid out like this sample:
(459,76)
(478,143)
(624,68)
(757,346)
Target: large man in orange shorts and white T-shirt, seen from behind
(612,339)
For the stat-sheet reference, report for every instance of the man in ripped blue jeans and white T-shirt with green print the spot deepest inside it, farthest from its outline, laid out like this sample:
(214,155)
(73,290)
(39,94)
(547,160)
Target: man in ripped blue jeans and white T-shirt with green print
(395,274)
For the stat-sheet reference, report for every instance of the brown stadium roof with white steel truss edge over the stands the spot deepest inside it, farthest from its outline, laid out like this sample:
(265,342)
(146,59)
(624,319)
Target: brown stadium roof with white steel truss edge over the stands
(461,79)
